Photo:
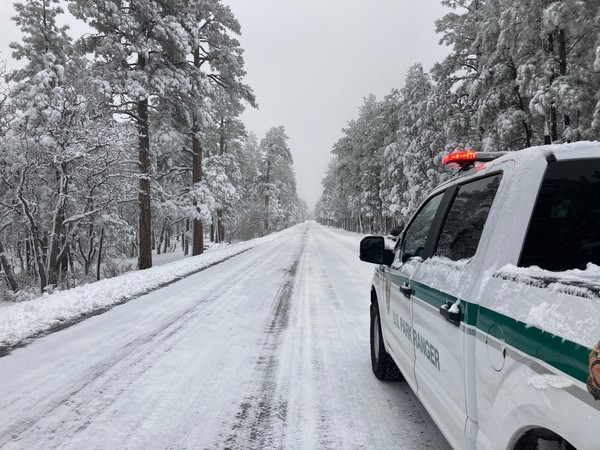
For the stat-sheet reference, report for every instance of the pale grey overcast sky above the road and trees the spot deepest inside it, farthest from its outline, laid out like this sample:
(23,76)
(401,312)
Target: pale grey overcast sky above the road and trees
(311,62)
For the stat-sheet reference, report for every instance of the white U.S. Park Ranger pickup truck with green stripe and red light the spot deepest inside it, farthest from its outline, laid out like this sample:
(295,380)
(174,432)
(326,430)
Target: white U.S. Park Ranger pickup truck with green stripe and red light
(488,302)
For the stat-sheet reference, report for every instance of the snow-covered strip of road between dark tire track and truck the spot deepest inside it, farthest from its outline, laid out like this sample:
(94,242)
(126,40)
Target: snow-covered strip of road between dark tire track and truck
(340,399)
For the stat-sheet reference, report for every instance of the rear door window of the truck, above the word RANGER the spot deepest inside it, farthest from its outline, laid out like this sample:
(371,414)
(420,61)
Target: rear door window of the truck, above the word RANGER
(463,227)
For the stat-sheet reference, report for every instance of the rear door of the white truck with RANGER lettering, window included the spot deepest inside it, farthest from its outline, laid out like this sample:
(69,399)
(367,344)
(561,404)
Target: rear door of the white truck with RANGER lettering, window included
(438,286)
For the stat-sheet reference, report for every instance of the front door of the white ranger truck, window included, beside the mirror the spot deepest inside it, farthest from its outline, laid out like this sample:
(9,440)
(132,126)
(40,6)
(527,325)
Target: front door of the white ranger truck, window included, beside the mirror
(409,254)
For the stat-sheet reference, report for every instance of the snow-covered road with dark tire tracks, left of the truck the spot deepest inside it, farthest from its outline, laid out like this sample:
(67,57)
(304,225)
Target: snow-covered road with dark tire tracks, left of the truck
(269,349)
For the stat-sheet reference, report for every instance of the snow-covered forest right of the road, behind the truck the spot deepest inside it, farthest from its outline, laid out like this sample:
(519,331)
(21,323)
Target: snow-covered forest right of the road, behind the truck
(519,73)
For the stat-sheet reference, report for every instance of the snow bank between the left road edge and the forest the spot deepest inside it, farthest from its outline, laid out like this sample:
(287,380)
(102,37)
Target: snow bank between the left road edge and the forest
(20,322)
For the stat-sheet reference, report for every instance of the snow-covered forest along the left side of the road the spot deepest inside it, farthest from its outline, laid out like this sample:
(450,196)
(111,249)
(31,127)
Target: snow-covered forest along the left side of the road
(128,141)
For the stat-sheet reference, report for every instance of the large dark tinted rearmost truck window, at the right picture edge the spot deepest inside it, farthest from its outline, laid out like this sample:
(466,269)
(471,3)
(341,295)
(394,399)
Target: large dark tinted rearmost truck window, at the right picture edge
(564,230)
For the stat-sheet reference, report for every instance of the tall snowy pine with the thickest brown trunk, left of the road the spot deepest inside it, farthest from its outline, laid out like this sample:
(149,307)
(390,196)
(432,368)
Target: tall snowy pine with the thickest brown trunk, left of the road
(133,61)
